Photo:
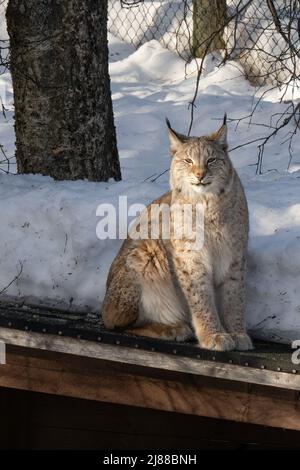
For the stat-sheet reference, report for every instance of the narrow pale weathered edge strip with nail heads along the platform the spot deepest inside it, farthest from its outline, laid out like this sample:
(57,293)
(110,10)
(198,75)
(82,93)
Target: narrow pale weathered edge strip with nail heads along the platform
(144,358)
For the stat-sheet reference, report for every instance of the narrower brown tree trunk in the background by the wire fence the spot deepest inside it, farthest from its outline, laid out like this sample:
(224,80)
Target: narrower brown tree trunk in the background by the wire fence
(208,22)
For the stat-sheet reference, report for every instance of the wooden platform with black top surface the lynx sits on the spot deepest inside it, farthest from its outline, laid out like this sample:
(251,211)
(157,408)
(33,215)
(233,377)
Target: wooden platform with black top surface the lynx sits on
(68,354)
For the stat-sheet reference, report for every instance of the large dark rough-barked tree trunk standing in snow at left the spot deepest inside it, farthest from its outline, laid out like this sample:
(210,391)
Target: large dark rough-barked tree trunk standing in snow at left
(63,110)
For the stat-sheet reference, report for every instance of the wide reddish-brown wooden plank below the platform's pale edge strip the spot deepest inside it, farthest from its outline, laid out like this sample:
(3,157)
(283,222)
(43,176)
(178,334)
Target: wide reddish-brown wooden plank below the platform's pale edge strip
(62,374)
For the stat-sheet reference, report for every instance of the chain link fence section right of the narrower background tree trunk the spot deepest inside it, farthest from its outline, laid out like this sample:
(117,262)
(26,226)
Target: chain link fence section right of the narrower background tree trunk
(265,37)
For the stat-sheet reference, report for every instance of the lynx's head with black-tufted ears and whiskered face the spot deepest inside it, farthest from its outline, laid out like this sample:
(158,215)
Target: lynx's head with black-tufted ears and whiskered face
(200,164)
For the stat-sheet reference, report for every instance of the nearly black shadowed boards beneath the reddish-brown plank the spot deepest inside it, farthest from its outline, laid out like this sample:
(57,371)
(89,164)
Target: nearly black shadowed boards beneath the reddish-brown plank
(55,422)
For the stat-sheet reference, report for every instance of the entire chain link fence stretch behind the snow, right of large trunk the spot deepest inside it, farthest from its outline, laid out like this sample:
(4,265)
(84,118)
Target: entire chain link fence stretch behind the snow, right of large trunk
(264,35)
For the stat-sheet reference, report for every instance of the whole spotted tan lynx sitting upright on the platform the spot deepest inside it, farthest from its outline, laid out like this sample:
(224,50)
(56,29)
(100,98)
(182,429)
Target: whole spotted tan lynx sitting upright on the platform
(163,288)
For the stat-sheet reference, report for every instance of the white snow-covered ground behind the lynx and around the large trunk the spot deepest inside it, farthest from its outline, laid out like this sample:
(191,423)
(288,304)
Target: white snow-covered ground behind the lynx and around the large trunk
(48,228)
